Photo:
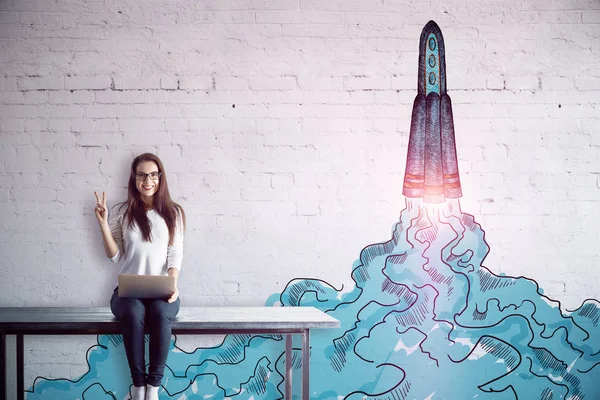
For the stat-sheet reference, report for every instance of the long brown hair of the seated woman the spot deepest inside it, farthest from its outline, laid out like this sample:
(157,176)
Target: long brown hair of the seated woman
(164,206)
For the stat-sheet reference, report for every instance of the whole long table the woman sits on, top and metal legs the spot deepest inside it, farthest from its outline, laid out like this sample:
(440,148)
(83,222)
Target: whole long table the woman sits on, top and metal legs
(287,321)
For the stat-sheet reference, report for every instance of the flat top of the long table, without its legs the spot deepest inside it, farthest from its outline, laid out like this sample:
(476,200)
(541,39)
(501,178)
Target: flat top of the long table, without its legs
(75,320)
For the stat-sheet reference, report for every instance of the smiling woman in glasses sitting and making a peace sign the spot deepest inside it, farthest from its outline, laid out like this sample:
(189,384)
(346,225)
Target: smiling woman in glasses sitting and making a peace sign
(146,232)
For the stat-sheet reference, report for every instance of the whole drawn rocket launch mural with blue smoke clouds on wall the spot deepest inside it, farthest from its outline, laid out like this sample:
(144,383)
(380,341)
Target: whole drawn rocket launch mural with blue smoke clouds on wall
(425,318)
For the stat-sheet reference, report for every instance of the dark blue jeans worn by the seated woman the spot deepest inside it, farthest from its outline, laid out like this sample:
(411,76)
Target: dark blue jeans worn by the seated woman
(157,314)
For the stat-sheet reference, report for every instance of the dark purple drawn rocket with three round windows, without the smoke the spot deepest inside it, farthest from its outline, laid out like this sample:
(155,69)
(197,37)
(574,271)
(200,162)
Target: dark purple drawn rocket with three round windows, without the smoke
(431,165)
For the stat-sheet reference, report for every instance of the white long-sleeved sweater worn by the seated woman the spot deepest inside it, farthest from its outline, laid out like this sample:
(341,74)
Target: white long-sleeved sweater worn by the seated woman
(146,258)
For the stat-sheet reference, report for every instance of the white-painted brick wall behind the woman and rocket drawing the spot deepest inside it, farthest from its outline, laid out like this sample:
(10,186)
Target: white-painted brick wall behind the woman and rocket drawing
(283,126)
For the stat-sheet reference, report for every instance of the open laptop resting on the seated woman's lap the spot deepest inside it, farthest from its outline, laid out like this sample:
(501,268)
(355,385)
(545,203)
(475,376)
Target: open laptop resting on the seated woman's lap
(146,286)
